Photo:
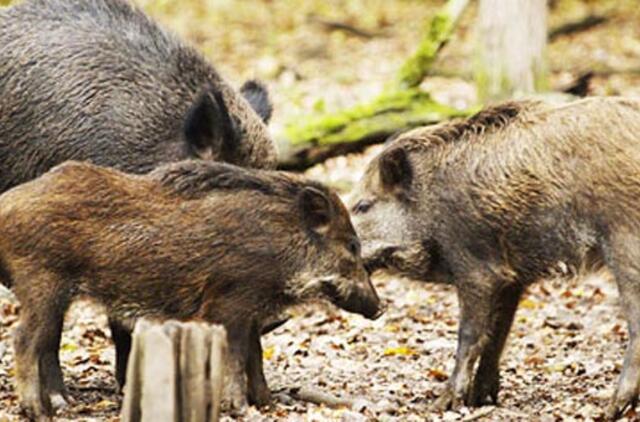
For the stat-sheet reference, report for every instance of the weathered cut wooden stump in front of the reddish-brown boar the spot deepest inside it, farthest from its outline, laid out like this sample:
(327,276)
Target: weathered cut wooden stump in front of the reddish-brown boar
(175,372)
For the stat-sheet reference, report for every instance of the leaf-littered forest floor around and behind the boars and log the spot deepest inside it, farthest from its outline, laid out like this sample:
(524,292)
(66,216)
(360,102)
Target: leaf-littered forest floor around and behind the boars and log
(565,350)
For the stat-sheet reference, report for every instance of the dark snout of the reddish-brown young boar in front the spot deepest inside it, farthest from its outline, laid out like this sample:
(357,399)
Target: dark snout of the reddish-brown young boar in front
(360,300)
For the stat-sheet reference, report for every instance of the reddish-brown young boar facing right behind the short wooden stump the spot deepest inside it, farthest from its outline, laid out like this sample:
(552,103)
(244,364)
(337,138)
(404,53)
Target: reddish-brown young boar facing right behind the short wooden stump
(237,246)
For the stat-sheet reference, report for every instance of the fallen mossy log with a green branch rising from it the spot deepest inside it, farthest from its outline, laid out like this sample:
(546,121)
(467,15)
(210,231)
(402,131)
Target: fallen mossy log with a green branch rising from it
(402,106)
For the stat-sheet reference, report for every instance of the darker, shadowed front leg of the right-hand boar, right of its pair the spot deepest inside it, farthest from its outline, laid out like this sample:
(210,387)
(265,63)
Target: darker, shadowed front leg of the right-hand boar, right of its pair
(487,379)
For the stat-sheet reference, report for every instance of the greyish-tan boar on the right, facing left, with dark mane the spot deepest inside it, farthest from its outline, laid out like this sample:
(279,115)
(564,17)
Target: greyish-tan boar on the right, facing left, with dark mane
(492,203)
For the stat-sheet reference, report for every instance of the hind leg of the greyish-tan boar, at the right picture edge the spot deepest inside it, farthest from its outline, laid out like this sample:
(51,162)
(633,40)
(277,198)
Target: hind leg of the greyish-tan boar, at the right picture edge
(624,261)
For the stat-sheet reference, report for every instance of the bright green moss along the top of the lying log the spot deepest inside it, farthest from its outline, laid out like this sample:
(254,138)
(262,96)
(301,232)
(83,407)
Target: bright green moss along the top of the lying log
(389,112)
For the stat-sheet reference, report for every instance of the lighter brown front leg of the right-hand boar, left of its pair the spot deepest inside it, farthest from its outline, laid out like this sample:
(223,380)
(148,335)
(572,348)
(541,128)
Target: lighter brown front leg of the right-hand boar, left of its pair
(473,336)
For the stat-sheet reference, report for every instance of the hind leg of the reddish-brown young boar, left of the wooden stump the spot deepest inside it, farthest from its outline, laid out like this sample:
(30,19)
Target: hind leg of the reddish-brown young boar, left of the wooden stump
(37,341)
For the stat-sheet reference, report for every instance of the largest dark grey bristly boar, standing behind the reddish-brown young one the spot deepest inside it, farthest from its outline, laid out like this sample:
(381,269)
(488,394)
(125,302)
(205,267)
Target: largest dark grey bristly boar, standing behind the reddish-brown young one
(98,81)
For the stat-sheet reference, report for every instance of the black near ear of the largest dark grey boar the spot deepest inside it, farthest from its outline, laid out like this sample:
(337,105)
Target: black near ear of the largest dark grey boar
(208,128)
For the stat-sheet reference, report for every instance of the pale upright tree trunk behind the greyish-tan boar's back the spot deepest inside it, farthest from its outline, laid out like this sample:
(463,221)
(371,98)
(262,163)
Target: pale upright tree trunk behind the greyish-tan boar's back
(512,39)
